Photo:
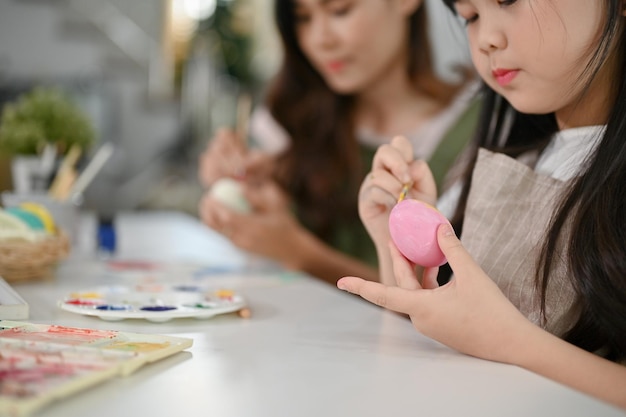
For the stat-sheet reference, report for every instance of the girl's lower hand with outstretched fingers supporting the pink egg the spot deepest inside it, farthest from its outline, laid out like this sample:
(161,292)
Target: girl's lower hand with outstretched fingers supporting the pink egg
(469,313)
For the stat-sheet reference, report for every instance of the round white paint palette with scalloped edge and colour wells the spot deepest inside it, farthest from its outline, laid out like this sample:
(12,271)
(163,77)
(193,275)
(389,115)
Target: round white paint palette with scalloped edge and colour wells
(153,301)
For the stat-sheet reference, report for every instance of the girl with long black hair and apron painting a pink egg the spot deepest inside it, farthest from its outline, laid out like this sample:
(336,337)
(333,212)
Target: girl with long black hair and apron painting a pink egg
(540,278)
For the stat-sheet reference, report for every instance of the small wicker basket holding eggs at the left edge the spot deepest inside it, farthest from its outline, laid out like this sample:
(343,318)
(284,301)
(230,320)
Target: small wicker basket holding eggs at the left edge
(24,261)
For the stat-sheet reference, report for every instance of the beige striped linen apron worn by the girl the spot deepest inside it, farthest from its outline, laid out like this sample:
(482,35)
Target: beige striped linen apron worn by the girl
(508,212)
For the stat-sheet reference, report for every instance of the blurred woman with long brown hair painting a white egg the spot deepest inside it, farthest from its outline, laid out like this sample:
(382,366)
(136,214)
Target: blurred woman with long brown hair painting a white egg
(354,73)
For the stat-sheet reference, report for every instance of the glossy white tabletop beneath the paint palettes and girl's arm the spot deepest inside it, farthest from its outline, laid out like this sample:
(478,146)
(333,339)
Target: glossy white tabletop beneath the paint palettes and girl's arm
(308,350)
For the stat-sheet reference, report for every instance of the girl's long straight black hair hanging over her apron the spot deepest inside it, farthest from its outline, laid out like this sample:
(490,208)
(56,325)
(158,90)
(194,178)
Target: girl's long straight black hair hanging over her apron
(595,203)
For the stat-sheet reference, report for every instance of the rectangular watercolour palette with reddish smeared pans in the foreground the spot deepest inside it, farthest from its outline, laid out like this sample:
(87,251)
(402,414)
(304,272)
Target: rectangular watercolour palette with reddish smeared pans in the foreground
(41,363)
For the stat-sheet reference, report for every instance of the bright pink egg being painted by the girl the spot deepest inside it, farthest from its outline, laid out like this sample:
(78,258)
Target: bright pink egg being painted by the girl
(413,228)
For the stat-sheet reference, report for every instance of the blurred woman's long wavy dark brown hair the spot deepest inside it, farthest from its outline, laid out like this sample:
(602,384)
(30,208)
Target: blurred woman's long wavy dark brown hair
(322,168)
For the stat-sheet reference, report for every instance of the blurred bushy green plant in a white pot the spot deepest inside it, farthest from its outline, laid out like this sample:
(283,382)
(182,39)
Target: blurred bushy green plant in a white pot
(43,121)
